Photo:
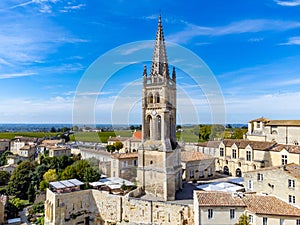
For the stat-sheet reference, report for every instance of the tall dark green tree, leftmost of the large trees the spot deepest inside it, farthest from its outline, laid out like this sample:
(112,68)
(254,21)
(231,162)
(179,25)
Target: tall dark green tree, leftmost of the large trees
(20,180)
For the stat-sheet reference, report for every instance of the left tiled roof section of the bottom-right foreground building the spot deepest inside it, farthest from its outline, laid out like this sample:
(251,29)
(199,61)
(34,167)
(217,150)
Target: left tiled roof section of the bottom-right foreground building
(213,198)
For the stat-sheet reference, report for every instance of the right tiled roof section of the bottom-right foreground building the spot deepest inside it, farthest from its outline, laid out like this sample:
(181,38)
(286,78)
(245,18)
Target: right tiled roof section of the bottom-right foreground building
(269,205)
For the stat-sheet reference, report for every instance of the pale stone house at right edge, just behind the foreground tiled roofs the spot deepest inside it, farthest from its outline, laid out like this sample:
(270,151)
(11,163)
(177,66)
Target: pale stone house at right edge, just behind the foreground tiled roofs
(280,181)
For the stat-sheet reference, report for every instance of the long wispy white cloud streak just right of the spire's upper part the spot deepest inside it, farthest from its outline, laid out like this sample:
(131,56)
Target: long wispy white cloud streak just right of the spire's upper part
(239,27)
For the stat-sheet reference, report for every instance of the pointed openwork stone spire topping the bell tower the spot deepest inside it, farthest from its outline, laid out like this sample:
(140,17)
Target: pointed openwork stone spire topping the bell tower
(159,60)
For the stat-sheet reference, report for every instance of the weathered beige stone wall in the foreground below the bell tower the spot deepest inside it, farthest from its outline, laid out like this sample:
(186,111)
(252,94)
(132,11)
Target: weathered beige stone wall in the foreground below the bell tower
(100,207)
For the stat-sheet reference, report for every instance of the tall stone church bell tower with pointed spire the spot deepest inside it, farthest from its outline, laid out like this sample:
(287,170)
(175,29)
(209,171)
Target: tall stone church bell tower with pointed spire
(159,169)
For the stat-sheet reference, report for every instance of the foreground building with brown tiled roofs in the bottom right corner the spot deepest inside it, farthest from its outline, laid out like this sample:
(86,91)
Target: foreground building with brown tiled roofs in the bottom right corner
(225,208)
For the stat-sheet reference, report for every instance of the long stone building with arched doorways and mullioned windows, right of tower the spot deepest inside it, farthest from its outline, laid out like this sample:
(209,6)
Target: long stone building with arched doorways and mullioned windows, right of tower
(234,157)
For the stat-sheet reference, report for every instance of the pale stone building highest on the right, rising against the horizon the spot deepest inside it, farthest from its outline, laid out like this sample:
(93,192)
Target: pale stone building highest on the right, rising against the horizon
(280,131)
